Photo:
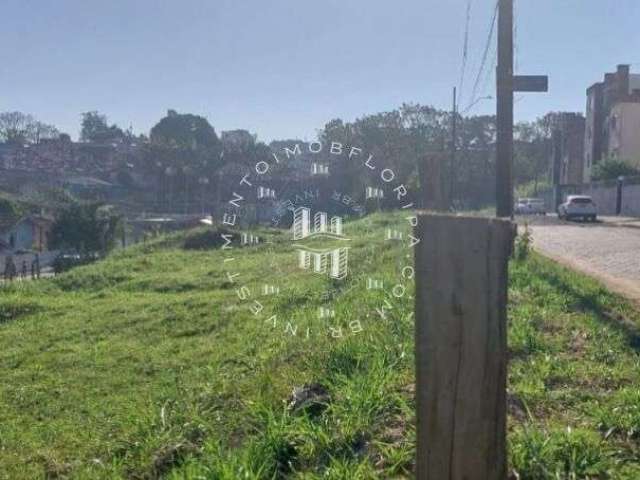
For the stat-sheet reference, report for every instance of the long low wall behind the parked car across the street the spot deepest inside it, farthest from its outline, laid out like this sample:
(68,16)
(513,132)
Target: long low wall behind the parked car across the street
(604,194)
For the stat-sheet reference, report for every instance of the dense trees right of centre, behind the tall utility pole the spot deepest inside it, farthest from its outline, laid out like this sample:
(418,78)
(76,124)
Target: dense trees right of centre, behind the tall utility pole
(403,137)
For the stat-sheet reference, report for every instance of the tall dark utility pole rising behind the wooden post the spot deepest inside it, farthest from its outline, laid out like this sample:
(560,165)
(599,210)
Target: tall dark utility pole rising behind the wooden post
(504,90)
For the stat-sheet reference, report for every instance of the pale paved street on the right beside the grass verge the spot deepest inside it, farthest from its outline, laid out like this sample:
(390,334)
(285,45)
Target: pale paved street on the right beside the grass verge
(608,250)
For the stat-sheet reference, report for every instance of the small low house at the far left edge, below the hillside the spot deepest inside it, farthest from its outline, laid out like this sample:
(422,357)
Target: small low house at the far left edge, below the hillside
(28,233)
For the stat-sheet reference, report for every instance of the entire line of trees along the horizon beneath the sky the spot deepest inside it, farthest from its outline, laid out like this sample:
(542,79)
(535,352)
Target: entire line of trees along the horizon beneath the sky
(184,154)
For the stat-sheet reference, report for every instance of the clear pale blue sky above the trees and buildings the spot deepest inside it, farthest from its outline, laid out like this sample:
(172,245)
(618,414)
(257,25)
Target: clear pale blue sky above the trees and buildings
(282,68)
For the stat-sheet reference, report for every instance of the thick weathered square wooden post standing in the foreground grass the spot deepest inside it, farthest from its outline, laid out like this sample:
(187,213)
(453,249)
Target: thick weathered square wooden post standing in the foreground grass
(461,346)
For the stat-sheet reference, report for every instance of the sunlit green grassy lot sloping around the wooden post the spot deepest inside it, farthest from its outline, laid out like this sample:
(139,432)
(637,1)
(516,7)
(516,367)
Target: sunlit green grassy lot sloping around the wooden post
(144,366)
